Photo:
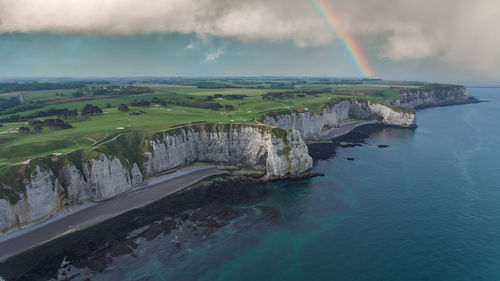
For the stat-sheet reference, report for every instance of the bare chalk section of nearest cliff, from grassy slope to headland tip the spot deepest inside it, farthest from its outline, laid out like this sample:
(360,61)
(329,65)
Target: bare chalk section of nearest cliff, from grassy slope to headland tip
(245,146)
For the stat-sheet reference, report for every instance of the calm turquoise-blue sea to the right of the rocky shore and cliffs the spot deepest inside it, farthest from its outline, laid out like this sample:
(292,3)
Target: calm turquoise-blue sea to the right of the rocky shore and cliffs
(425,208)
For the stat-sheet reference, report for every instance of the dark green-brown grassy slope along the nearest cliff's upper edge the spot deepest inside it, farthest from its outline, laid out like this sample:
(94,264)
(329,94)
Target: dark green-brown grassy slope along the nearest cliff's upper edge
(128,147)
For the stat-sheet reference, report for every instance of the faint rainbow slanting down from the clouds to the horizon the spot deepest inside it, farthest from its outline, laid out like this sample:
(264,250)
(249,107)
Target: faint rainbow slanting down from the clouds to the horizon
(347,39)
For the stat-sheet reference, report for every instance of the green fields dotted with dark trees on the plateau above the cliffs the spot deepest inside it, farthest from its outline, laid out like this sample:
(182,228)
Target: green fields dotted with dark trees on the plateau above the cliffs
(241,101)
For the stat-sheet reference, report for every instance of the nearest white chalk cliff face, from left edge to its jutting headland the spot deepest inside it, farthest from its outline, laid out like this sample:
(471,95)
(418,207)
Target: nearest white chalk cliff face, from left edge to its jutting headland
(42,188)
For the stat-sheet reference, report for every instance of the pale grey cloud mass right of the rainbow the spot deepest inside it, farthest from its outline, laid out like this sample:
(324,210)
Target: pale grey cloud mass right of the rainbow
(459,33)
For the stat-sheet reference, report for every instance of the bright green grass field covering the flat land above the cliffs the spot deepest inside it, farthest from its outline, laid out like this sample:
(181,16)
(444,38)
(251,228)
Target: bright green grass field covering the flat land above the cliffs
(87,131)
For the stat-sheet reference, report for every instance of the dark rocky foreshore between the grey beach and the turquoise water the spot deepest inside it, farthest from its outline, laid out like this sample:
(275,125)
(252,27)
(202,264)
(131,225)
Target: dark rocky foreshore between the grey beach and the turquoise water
(202,208)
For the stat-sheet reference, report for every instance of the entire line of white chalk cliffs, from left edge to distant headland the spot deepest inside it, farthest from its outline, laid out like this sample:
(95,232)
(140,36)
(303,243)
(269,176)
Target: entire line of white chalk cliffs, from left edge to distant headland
(33,192)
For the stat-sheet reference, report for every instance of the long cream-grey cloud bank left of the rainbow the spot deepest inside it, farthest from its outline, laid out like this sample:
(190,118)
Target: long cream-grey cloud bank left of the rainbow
(244,20)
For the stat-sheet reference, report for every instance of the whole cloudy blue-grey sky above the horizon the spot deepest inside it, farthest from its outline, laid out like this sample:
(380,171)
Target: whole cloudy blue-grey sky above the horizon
(426,40)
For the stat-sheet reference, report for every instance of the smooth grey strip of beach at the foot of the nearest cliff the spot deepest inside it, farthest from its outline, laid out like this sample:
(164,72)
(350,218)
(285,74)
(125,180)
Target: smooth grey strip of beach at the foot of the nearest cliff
(92,214)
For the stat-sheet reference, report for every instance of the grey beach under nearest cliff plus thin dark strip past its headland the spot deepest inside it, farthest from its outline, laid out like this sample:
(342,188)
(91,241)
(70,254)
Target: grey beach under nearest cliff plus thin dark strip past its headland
(157,188)
